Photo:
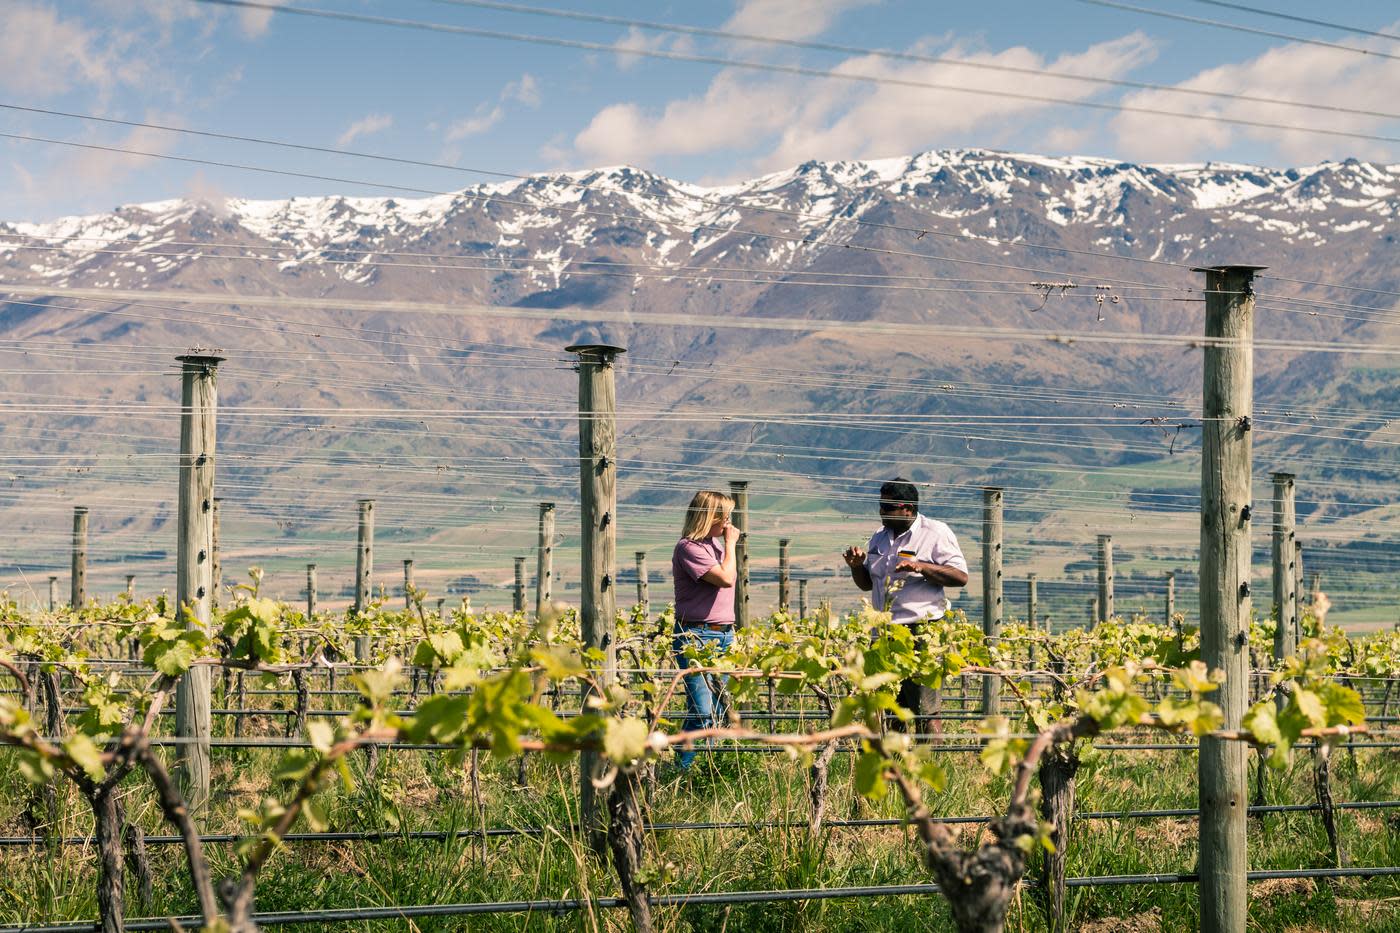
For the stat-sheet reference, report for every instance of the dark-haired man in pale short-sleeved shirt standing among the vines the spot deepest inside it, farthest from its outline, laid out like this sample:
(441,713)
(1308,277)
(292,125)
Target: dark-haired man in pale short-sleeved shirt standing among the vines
(925,557)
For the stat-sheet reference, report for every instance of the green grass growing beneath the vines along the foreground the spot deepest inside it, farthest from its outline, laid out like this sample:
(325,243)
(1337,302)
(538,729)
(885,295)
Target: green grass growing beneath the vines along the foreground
(423,791)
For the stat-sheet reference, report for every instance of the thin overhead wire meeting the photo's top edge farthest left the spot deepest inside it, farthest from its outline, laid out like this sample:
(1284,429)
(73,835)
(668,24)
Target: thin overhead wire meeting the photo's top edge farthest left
(782,69)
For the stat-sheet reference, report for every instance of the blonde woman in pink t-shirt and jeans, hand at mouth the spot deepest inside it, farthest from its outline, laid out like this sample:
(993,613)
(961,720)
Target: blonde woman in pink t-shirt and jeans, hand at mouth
(703,568)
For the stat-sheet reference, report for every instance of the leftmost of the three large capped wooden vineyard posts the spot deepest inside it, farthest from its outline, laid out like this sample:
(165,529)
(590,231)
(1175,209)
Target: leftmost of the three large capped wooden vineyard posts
(195,564)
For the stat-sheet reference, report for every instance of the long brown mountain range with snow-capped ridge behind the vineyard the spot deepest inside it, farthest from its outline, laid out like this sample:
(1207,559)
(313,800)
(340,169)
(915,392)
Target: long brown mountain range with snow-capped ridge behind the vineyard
(954,246)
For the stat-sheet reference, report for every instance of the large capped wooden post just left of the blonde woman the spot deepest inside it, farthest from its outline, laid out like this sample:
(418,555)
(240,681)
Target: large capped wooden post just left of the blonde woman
(598,523)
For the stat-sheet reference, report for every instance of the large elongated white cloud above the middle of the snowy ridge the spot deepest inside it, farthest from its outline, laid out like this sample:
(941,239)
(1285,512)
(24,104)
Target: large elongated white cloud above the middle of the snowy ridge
(785,121)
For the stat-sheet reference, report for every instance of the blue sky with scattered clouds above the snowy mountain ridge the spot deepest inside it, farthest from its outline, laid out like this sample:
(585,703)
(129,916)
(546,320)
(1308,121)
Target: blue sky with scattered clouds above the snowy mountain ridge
(520,109)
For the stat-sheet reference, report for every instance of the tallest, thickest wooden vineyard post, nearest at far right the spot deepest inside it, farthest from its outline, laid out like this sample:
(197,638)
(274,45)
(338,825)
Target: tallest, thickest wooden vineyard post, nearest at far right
(1227,410)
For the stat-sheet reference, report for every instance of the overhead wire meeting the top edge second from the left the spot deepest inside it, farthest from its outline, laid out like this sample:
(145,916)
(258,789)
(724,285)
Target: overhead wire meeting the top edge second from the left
(890,54)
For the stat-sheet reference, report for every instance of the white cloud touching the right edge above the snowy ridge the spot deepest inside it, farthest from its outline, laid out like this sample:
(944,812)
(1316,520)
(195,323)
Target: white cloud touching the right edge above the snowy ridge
(1291,72)
